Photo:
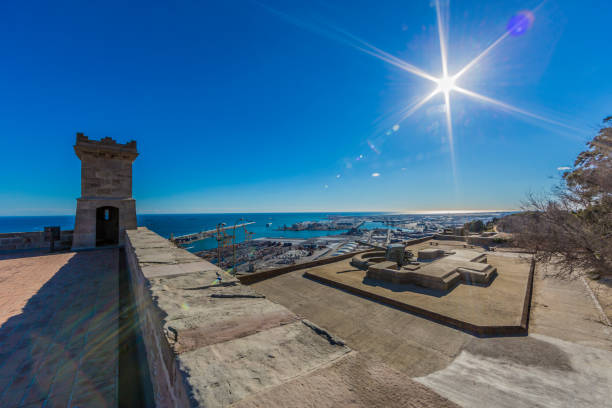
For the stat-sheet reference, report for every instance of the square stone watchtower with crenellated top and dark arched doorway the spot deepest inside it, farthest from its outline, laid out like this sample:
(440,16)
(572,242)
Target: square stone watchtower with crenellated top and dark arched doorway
(106,207)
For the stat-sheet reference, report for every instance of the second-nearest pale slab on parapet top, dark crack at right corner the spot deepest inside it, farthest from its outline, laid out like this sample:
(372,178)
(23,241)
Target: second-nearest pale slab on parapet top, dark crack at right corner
(225,373)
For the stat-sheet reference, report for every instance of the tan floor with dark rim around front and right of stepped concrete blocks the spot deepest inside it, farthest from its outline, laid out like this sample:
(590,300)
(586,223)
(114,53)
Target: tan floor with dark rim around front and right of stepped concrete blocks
(493,309)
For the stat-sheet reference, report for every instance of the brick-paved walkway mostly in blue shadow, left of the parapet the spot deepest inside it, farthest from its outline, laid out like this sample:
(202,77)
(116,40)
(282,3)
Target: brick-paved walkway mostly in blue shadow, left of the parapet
(59,329)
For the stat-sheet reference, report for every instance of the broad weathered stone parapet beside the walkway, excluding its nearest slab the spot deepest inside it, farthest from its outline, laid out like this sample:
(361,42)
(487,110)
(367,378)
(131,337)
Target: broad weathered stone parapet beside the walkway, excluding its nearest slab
(209,340)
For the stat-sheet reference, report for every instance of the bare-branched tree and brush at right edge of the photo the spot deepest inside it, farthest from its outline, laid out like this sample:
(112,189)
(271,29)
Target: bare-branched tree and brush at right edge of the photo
(573,227)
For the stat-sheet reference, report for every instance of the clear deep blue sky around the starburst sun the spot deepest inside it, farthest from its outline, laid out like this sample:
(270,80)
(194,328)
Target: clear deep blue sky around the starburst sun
(249,106)
